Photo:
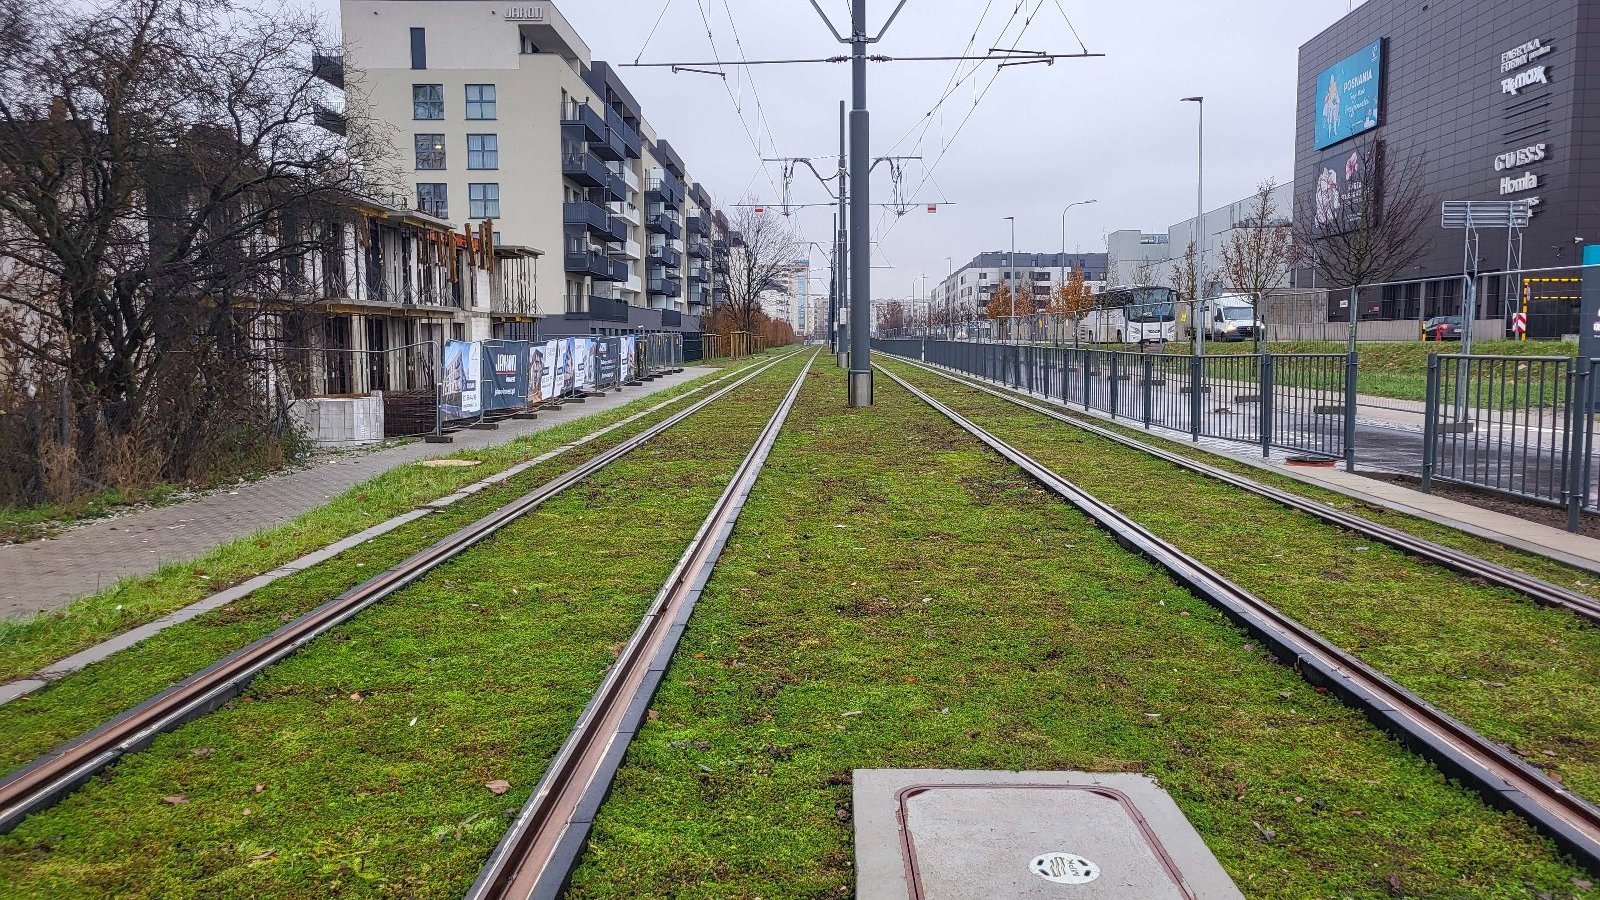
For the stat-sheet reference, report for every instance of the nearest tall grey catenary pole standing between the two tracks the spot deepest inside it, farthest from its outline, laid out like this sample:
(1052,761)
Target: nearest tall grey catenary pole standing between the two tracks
(860,215)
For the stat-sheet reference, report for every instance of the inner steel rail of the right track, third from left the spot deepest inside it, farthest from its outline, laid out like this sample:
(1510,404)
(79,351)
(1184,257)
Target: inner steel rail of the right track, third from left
(1500,777)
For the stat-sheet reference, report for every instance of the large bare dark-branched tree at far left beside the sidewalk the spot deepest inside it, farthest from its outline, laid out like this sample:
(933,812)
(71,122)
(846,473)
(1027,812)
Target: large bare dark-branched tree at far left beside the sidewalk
(162,183)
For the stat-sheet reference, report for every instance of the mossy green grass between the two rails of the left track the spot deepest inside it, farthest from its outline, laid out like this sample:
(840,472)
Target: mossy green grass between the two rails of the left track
(359,768)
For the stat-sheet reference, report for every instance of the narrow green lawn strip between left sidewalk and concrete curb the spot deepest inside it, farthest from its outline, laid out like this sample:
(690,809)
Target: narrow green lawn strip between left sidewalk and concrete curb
(31,643)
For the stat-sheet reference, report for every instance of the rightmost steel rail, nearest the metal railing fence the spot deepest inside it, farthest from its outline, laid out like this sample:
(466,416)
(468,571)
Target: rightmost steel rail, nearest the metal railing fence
(1454,560)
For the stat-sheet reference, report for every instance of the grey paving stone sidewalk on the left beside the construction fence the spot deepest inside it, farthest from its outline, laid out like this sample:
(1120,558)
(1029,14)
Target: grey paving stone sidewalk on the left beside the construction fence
(49,574)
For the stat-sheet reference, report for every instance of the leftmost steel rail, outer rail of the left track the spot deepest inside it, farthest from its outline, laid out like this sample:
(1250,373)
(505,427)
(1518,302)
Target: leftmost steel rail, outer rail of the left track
(62,771)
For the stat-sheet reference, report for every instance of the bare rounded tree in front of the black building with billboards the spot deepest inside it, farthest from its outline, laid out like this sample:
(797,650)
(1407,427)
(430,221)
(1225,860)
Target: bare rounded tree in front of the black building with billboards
(1364,222)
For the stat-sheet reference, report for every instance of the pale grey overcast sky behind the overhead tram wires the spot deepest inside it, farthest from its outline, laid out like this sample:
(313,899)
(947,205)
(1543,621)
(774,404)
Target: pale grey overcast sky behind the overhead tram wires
(1111,129)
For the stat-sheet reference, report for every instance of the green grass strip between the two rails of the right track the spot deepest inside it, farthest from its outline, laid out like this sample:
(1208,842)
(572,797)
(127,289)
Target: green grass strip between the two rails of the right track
(1522,675)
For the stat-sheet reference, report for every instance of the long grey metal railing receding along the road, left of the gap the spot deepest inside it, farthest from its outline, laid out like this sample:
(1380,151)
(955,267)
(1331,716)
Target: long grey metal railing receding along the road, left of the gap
(1297,403)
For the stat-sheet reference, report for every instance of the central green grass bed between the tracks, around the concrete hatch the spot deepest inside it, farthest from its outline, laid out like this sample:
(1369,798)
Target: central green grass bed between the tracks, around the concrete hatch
(897,597)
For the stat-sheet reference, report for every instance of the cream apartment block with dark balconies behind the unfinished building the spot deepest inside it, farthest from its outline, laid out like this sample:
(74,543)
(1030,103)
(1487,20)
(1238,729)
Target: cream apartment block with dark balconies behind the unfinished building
(500,115)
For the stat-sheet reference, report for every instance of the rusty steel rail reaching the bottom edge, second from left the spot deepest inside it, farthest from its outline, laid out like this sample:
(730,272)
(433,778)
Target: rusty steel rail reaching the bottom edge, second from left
(538,853)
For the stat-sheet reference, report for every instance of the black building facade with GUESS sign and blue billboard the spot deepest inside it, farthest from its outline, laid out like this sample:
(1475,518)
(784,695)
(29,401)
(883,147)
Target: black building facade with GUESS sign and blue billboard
(1490,102)
